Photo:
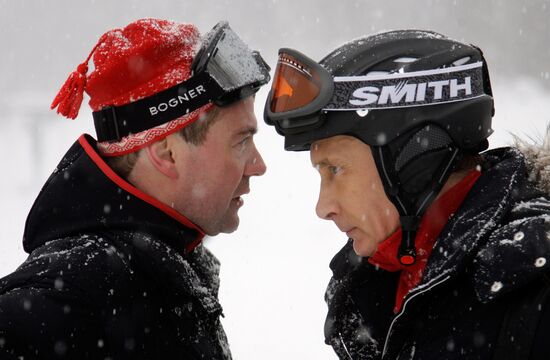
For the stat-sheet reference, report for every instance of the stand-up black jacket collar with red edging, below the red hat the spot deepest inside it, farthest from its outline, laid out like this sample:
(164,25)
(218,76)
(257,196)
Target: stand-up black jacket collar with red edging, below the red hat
(85,195)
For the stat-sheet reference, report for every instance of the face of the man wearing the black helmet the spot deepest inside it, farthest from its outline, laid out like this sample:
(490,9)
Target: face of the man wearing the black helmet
(352,194)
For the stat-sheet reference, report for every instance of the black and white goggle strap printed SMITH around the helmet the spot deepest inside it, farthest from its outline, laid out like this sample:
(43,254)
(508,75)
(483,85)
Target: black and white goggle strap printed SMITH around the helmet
(420,88)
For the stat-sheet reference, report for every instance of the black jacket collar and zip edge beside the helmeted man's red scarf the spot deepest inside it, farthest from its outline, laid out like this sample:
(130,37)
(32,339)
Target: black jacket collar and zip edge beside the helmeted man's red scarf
(467,231)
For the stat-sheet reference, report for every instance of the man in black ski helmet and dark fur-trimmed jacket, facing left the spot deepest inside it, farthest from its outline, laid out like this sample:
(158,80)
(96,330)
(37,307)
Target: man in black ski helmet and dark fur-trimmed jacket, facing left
(447,249)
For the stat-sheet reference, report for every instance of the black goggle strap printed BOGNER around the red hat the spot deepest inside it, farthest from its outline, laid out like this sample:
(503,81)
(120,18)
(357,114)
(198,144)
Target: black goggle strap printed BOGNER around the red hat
(112,123)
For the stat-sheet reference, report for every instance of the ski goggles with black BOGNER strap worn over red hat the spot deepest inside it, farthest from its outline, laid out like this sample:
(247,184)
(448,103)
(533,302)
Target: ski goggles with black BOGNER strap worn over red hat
(224,70)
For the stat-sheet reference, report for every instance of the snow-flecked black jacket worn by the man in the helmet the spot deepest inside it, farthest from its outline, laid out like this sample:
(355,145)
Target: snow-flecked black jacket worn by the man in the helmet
(489,260)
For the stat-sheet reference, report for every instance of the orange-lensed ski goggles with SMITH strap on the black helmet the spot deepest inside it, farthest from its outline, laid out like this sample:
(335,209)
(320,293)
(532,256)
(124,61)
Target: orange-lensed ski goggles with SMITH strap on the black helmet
(303,91)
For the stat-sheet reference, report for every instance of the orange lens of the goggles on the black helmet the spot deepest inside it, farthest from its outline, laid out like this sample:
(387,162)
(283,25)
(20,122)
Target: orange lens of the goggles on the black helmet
(295,85)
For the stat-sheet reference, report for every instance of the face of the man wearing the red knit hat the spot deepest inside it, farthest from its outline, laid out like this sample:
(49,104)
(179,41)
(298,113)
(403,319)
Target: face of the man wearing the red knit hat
(216,173)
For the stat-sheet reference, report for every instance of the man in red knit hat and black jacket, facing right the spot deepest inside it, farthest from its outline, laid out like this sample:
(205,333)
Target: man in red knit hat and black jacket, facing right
(116,267)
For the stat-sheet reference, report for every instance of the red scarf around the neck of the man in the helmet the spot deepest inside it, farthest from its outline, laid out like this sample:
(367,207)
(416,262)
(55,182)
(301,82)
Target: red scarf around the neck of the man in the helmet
(432,223)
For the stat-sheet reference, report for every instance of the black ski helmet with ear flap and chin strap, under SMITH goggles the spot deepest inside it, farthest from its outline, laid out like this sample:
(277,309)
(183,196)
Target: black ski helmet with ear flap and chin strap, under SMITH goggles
(415,146)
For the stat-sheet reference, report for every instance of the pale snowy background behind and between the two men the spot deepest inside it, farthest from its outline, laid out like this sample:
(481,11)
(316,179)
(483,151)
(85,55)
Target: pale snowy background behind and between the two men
(275,267)
